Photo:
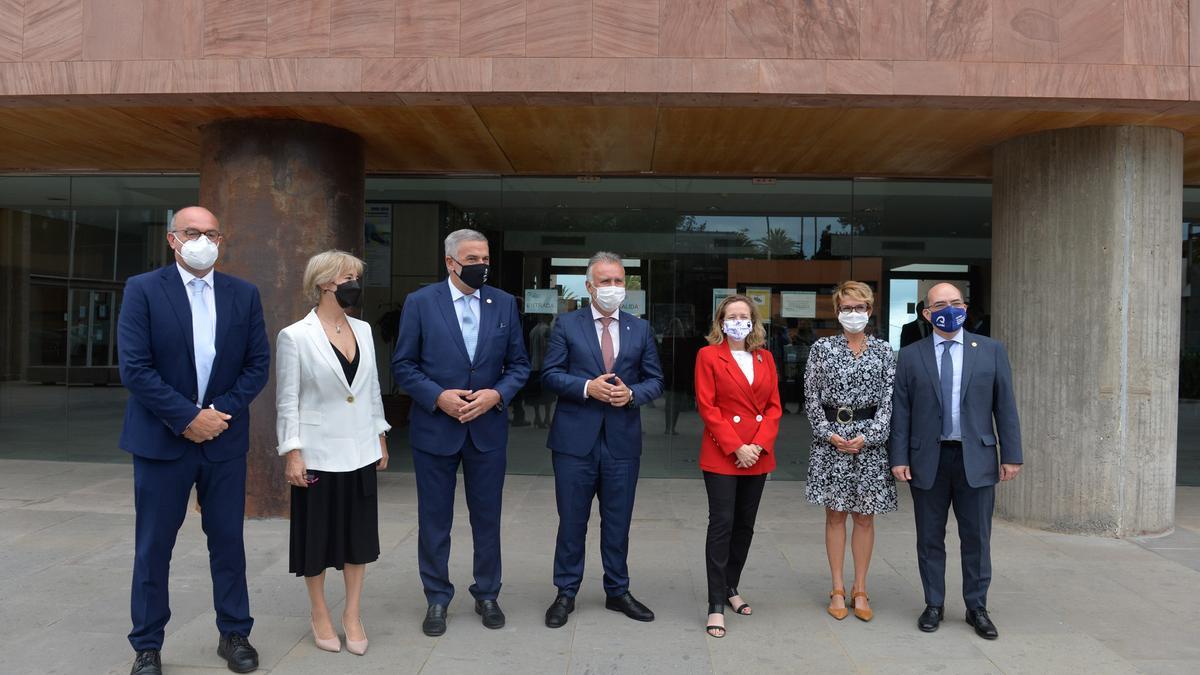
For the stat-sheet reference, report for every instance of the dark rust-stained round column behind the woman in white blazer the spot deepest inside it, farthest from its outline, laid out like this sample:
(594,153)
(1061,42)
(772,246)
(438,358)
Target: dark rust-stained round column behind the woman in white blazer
(284,190)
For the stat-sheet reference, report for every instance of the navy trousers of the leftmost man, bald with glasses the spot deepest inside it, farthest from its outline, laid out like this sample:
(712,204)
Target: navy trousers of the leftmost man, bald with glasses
(161,491)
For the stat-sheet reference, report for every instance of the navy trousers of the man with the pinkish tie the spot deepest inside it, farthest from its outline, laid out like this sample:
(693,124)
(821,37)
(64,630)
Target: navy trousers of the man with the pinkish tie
(578,480)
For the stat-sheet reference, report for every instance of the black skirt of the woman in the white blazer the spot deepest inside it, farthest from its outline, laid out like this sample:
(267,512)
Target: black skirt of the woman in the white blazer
(335,522)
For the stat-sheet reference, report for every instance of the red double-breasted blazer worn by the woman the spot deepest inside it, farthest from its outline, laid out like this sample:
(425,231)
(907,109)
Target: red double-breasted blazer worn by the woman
(736,413)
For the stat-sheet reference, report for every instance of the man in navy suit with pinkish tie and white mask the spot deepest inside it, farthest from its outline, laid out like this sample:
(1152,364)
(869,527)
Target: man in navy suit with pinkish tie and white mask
(603,365)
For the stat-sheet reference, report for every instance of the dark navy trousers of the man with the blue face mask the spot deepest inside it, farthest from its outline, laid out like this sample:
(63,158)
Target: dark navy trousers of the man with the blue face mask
(973,510)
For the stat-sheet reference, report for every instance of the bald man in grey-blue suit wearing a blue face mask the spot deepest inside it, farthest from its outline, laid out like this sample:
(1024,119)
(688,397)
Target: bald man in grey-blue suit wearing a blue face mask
(953,413)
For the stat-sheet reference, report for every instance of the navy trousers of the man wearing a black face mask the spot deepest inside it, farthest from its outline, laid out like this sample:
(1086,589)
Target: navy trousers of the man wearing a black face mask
(437,476)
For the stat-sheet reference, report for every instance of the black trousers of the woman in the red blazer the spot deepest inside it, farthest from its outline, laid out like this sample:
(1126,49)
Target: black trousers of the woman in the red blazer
(733,509)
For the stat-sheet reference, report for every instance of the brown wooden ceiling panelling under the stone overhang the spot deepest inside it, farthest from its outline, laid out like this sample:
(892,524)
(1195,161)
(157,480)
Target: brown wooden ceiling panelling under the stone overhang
(572,140)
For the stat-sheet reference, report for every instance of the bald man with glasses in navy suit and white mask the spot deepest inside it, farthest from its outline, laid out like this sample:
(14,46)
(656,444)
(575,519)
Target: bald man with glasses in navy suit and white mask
(194,355)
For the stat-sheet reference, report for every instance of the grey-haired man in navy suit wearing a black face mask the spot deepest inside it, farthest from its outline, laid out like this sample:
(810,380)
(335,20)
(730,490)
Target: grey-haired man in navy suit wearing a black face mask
(461,357)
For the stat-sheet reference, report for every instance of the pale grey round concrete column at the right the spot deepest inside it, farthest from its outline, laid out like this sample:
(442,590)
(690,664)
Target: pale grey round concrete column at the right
(1087,291)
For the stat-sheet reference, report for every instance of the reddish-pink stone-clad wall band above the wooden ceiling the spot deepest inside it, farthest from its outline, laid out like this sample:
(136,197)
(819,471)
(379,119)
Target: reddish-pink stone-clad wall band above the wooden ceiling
(1137,50)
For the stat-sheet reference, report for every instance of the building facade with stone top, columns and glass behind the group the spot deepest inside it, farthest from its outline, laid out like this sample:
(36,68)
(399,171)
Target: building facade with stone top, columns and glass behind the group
(1035,153)
